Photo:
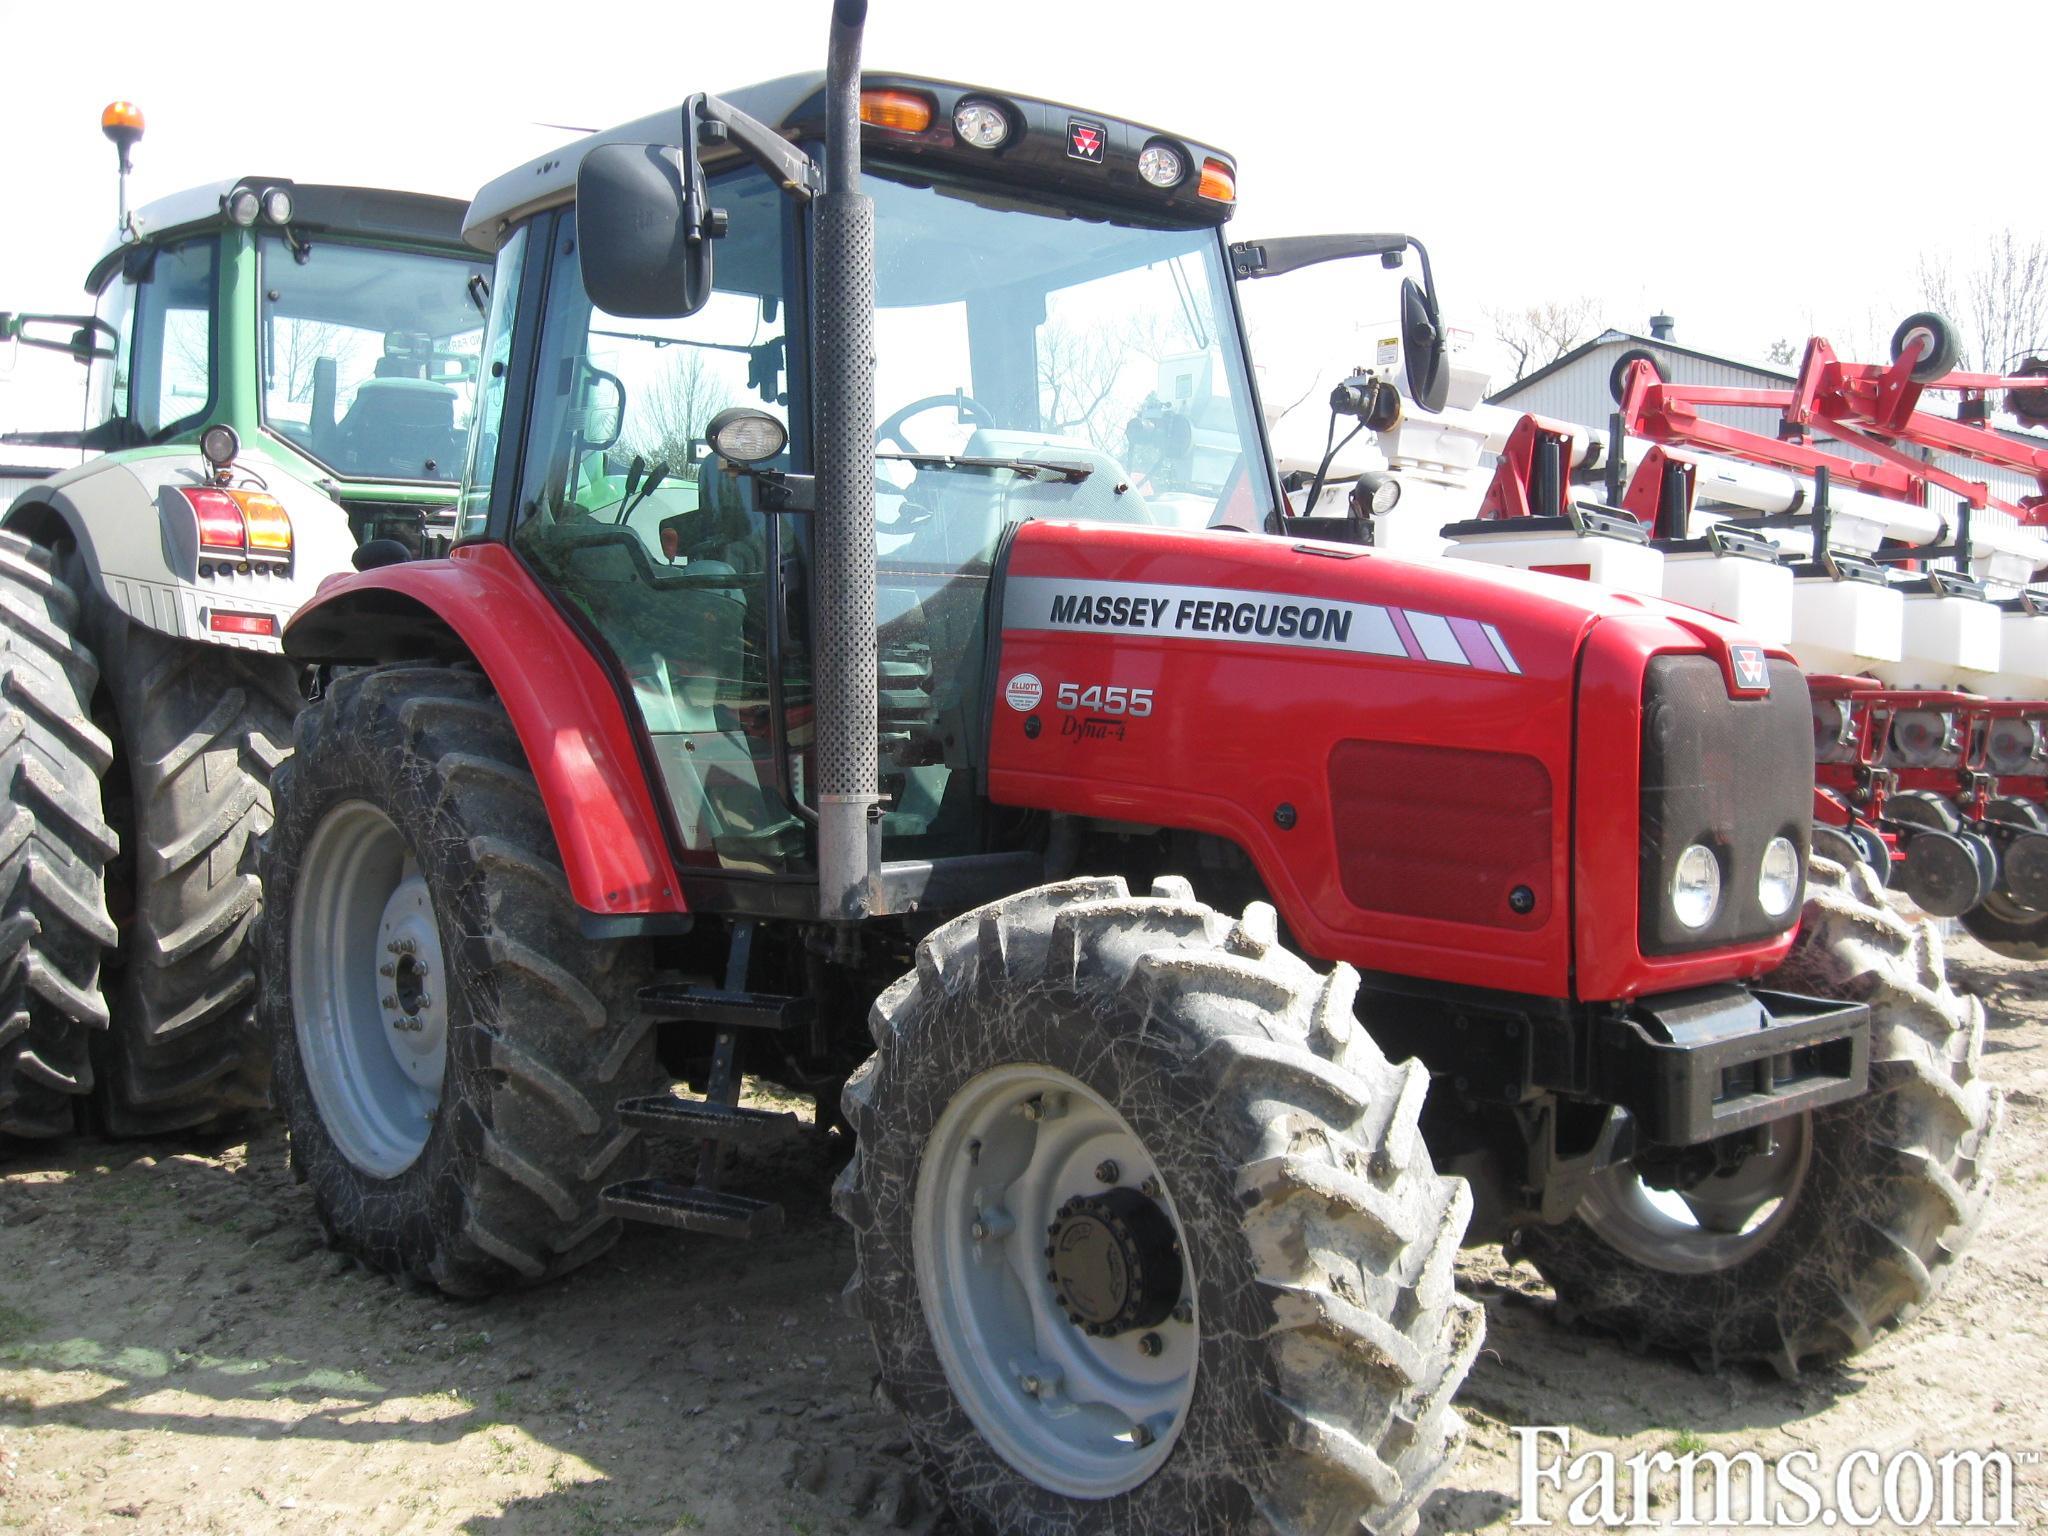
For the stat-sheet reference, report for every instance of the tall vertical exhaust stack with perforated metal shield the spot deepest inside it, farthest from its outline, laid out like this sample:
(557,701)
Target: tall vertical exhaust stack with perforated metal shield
(849,781)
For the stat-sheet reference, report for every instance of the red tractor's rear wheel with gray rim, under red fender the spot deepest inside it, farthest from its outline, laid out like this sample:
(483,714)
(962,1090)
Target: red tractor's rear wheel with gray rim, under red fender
(476,1166)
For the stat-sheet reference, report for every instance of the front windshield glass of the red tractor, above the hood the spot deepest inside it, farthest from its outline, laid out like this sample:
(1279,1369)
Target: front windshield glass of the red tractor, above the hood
(1017,331)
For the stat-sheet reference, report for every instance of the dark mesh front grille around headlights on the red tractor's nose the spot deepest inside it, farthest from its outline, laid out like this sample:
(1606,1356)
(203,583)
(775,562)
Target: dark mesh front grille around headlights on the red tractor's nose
(1727,773)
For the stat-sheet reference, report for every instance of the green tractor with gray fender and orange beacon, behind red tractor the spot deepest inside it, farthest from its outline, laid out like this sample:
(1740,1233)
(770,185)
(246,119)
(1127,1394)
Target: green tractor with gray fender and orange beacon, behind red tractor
(275,370)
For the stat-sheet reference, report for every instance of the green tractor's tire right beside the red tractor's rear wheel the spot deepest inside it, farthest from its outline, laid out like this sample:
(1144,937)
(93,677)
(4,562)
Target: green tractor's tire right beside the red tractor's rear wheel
(204,730)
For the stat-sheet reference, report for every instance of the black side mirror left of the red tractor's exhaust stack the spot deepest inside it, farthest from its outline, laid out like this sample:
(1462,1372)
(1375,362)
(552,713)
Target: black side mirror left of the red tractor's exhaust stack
(642,230)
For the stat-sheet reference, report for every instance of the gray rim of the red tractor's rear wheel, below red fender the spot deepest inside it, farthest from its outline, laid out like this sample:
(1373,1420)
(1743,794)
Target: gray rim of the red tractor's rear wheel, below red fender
(370,990)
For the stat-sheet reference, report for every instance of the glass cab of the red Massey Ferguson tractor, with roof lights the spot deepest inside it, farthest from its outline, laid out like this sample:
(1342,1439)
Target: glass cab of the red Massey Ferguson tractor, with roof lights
(1056,337)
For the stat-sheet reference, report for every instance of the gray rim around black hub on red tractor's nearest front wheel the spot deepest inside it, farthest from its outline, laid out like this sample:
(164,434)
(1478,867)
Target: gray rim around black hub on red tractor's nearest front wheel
(1082,1416)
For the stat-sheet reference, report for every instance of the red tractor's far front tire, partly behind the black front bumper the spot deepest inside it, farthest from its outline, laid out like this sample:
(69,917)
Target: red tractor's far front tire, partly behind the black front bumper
(1889,1187)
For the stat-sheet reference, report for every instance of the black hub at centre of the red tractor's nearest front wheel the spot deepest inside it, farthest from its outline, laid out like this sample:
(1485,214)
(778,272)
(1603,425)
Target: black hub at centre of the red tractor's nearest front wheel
(1115,1263)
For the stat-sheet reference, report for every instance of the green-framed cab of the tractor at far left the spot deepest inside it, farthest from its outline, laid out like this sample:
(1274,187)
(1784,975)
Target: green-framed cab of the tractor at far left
(335,329)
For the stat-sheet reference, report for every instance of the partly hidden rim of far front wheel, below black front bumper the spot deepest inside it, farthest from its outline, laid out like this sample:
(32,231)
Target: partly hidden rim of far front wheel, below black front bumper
(1715,1226)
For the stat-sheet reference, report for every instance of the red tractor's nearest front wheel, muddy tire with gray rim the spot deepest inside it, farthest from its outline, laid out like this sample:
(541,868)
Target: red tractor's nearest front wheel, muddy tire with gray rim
(1324,1338)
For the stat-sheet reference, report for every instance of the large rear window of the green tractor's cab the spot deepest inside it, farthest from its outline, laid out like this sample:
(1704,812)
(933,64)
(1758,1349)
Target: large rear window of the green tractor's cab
(370,357)
